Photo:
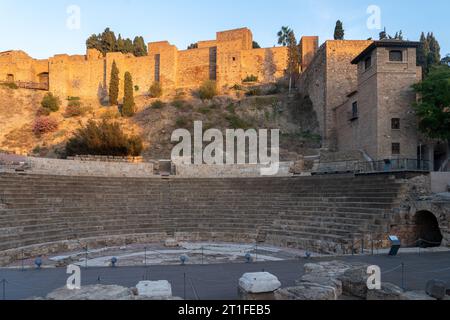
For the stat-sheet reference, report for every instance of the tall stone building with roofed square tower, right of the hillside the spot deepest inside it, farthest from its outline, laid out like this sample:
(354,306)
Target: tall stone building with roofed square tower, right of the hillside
(362,93)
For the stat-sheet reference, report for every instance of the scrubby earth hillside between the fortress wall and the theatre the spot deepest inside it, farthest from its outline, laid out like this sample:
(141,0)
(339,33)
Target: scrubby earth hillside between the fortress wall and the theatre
(156,119)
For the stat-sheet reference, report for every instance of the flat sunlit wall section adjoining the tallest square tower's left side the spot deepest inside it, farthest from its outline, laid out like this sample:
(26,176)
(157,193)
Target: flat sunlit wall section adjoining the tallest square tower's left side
(193,67)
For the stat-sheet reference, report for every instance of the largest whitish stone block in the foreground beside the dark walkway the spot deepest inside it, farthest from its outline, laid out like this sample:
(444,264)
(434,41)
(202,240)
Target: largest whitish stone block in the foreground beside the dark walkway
(259,282)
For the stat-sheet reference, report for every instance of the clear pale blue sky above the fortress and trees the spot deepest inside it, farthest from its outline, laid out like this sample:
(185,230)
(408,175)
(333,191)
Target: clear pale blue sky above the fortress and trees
(39,27)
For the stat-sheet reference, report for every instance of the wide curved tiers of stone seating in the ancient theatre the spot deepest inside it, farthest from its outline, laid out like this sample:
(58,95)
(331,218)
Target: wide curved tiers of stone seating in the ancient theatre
(317,213)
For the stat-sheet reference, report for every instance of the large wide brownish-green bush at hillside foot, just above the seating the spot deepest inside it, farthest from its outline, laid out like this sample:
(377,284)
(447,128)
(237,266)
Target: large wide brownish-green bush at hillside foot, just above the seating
(104,138)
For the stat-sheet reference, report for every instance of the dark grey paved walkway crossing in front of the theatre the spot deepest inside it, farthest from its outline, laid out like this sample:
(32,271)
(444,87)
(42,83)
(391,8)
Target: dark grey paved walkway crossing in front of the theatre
(219,281)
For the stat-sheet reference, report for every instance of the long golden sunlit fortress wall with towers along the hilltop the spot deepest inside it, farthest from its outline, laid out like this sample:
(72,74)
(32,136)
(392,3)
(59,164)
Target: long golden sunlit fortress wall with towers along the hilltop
(228,60)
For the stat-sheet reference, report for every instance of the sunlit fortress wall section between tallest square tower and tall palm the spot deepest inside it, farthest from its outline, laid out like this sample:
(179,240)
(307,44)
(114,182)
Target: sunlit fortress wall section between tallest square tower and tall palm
(267,64)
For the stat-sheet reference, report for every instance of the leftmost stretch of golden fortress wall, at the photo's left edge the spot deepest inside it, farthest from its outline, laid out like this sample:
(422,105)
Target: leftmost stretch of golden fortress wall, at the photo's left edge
(21,66)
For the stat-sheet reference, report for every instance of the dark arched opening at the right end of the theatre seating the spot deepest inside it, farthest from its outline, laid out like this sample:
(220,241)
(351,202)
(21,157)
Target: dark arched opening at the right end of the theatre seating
(427,230)
